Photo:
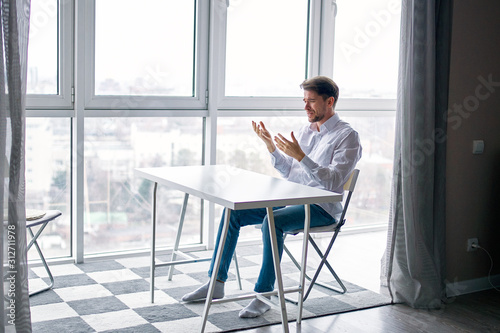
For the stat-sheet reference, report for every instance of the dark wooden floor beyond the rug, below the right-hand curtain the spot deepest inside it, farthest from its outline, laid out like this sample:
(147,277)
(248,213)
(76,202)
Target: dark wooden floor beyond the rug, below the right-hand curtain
(473,313)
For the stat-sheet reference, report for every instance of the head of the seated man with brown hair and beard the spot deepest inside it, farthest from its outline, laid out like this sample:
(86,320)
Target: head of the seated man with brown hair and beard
(320,98)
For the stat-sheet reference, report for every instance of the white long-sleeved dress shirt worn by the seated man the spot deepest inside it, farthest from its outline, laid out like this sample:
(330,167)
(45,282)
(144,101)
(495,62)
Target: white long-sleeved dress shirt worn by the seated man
(331,156)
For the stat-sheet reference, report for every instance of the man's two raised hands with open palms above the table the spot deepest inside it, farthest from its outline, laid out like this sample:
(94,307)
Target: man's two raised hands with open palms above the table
(290,148)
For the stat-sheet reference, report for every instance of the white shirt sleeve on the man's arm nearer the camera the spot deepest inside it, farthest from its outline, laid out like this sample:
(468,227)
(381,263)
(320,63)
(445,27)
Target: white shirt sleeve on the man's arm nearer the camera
(333,176)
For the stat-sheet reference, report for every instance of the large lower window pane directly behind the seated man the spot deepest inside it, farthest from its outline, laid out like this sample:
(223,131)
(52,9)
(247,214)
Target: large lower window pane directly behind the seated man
(237,145)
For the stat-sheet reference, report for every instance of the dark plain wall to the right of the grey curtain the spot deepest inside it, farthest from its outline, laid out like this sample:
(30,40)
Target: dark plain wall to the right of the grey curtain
(473,186)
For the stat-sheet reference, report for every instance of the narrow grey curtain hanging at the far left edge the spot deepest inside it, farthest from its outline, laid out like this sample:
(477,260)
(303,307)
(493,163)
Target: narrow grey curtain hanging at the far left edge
(14,39)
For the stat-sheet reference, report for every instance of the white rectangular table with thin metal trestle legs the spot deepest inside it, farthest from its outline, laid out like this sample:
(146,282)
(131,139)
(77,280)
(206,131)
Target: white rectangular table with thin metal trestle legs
(236,189)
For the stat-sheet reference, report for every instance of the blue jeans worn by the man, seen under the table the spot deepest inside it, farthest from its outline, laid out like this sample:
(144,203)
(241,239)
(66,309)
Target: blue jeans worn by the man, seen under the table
(285,219)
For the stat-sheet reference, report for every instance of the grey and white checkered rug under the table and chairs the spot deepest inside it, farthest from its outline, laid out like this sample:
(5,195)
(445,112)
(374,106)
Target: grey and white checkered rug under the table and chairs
(113,296)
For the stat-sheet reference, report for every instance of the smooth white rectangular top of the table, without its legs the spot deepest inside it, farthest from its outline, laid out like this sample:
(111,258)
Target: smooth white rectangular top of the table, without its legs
(236,188)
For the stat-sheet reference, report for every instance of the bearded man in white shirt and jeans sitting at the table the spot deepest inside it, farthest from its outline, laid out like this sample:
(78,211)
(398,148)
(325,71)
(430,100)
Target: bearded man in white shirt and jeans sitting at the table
(322,155)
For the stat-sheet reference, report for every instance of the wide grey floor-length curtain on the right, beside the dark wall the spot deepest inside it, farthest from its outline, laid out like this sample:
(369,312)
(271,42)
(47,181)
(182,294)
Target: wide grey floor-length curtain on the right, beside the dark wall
(414,263)
